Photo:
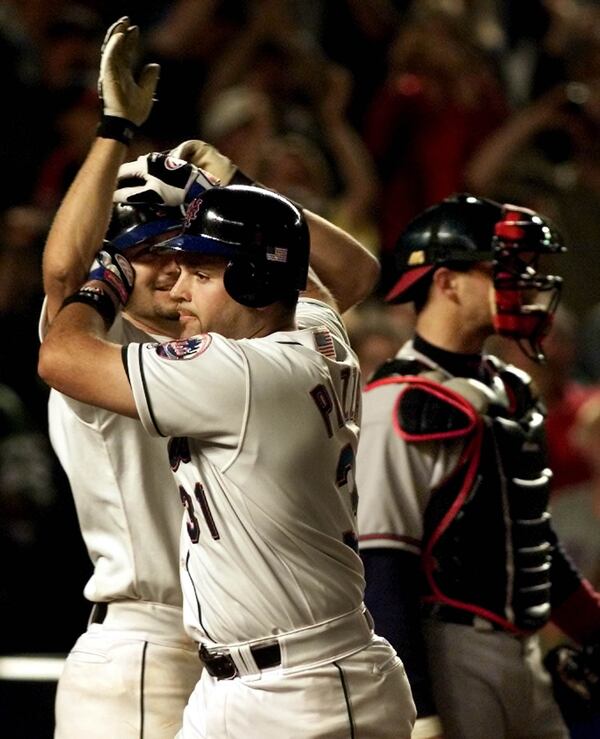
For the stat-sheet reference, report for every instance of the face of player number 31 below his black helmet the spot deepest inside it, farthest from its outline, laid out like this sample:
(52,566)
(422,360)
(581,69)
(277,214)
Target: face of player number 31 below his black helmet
(203,303)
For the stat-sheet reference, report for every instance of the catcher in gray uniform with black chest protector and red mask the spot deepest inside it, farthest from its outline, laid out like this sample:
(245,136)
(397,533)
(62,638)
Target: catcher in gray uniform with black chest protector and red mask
(462,566)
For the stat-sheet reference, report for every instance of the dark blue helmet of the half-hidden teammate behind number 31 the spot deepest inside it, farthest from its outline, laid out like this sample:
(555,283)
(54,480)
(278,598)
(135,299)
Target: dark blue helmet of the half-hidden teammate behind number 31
(134,225)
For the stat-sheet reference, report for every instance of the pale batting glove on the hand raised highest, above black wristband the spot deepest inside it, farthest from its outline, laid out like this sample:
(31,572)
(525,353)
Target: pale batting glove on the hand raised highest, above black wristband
(122,96)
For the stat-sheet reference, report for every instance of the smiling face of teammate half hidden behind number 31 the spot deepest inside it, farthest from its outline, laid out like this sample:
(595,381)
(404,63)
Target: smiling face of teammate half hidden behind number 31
(151,302)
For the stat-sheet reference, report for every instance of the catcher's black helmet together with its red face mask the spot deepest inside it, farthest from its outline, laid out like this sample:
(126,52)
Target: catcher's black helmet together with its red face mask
(463,230)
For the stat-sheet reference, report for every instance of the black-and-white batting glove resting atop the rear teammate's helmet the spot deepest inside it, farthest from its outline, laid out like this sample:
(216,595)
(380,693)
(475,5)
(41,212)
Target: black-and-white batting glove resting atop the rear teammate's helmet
(161,179)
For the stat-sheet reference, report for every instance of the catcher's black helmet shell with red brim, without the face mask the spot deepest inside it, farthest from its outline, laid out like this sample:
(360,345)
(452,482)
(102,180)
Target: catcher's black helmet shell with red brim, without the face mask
(458,229)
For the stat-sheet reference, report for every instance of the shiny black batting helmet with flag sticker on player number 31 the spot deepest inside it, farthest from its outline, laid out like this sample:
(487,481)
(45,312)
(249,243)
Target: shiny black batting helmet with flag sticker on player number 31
(262,234)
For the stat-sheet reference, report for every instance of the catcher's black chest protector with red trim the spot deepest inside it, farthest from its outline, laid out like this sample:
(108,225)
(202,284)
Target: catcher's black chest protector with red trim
(487,541)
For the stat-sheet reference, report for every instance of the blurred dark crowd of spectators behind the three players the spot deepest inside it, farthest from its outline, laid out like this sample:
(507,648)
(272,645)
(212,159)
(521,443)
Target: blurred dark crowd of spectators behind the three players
(365,111)
